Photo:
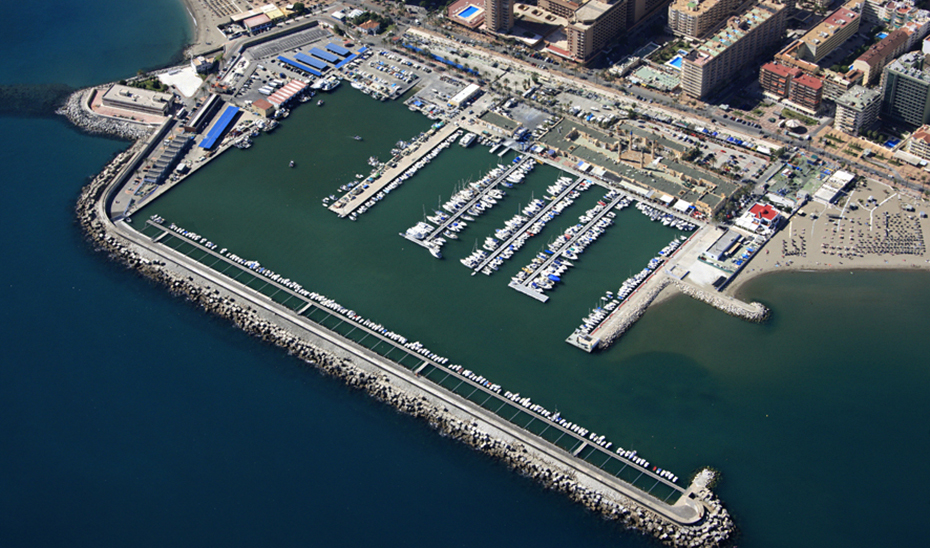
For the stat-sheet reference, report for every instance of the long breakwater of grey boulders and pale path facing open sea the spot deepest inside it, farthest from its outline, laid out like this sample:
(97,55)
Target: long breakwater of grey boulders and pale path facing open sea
(398,390)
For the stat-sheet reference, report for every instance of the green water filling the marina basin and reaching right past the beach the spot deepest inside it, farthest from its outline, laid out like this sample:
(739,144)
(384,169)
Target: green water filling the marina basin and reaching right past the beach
(816,418)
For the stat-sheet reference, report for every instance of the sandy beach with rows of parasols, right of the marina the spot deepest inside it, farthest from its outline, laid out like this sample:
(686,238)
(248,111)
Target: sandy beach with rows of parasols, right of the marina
(884,232)
